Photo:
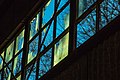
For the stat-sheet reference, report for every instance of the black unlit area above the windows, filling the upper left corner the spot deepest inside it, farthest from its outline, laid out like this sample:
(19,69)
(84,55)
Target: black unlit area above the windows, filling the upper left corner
(11,14)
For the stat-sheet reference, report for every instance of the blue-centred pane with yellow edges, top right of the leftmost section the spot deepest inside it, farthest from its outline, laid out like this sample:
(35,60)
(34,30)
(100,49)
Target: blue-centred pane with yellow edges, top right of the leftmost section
(19,41)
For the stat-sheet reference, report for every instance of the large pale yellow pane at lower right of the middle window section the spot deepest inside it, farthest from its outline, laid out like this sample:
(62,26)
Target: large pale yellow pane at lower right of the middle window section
(61,49)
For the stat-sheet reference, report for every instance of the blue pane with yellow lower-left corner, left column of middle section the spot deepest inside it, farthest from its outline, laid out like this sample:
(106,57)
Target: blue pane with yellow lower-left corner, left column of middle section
(33,49)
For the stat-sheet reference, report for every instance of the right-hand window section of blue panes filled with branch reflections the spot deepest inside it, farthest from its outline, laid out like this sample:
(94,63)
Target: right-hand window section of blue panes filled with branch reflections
(87,27)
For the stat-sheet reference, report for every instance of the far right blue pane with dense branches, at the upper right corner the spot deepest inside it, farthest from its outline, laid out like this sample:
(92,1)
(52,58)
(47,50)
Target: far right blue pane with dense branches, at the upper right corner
(109,10)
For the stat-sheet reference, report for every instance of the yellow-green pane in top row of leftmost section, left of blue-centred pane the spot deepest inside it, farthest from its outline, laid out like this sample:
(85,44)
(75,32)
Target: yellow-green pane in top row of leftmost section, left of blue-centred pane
(9,52)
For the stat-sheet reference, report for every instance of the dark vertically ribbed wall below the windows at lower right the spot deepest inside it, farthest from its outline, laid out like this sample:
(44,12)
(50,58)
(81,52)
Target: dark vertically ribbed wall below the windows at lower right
(101,63)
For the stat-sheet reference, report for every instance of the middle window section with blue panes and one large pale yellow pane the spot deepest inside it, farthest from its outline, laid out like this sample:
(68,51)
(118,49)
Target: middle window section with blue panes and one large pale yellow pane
(42,35)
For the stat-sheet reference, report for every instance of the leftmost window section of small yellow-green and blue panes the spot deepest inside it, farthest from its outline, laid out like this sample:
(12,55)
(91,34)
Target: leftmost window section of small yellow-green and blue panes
(11,58)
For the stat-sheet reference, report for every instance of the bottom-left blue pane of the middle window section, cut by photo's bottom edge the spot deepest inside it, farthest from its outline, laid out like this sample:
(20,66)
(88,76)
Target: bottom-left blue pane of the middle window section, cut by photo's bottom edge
(31,75)
